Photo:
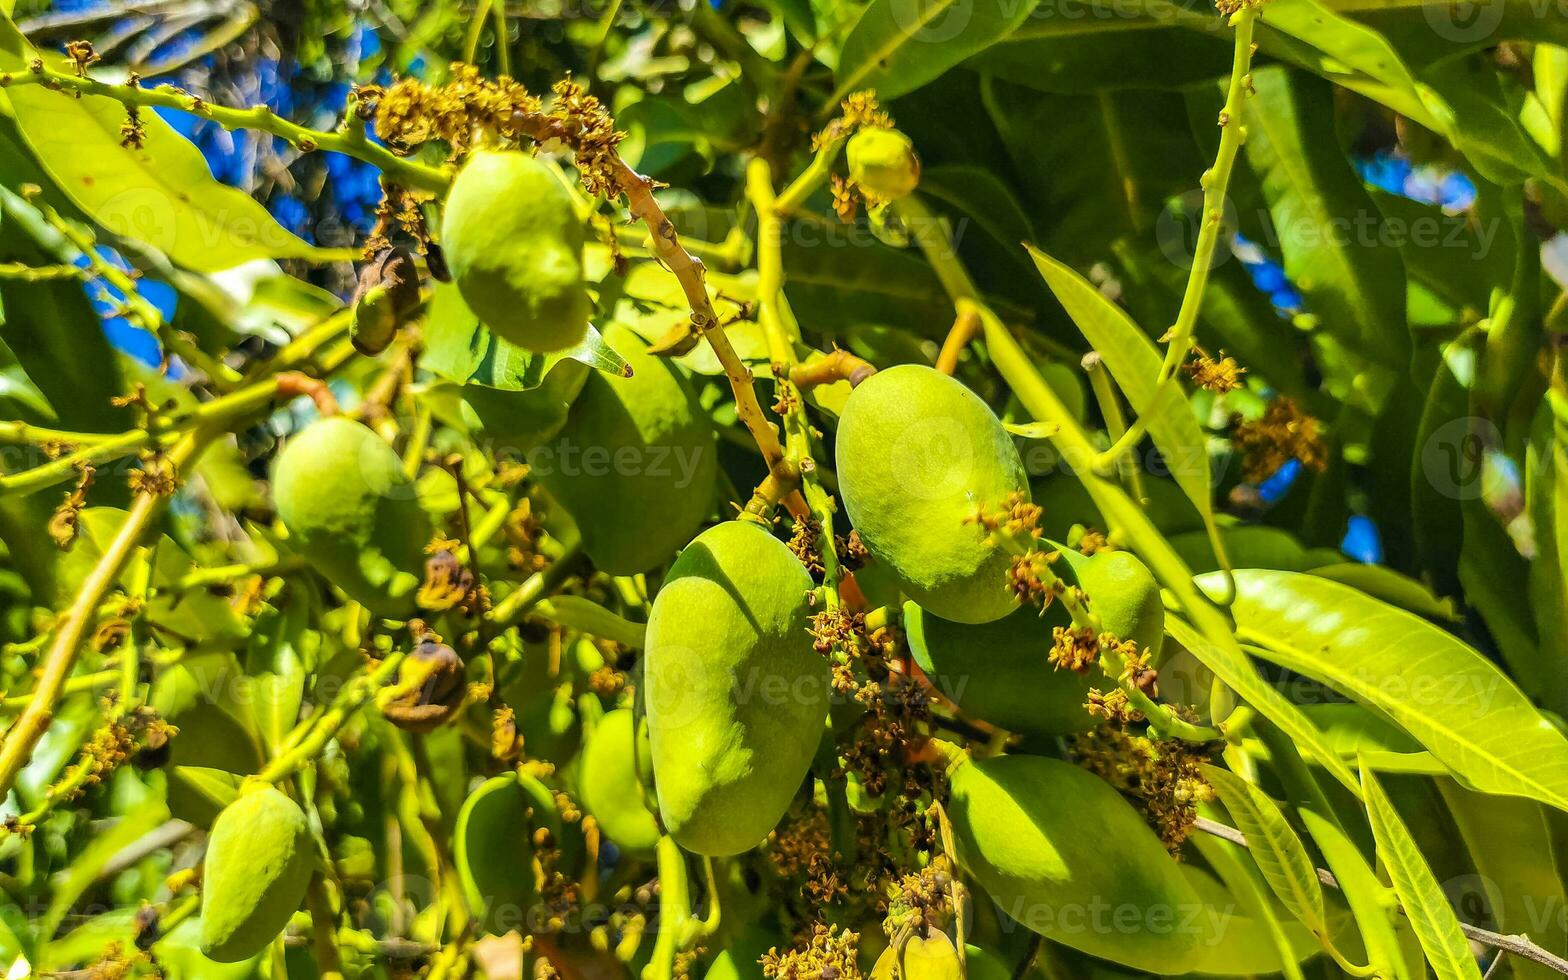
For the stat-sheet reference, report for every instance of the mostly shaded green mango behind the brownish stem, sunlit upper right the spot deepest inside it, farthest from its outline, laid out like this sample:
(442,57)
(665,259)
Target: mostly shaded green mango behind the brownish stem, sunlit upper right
(636,463)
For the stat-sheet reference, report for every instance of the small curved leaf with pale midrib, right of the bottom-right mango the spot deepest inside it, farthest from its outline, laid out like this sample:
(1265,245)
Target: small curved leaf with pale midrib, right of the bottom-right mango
(1274,846)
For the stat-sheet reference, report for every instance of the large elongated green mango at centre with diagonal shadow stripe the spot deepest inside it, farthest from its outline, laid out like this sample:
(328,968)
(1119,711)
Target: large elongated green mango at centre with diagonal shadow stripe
(736,694)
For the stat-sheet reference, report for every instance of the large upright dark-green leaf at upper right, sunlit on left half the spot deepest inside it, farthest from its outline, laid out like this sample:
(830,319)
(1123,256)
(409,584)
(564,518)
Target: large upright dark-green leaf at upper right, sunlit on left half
(1352,281)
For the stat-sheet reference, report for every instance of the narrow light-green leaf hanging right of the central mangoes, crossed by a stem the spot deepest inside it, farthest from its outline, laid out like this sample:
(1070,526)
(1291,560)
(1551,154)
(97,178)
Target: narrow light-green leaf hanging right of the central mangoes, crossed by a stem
(1136,365)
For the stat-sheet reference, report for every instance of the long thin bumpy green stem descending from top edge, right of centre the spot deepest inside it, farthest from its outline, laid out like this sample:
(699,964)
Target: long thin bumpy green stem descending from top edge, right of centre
(1214,189)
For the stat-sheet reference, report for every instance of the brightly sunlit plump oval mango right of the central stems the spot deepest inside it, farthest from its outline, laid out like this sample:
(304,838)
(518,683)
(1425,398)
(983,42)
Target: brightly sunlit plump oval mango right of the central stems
(918,454)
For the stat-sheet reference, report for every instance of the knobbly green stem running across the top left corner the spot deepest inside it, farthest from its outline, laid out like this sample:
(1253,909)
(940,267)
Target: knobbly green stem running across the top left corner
(347,140)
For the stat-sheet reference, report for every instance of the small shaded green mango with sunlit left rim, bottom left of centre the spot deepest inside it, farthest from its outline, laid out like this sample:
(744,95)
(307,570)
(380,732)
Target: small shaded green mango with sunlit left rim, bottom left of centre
(493,849)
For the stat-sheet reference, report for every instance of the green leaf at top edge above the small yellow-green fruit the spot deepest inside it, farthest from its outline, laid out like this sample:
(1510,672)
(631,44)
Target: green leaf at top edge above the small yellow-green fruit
(898,46)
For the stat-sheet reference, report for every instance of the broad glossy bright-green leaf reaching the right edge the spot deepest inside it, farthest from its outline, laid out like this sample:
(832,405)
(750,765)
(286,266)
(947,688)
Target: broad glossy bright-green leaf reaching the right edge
(1446,695)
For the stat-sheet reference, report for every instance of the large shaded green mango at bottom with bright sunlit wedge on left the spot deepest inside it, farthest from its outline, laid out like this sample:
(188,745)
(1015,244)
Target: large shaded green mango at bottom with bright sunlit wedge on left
(1067,857)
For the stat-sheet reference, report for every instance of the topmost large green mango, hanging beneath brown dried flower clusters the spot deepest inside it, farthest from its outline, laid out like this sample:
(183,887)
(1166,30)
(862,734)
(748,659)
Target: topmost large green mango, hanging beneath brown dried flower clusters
(515,244)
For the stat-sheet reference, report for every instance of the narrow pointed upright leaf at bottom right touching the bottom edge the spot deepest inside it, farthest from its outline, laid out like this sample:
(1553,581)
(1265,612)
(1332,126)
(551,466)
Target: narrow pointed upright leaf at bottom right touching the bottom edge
(1431,916)
